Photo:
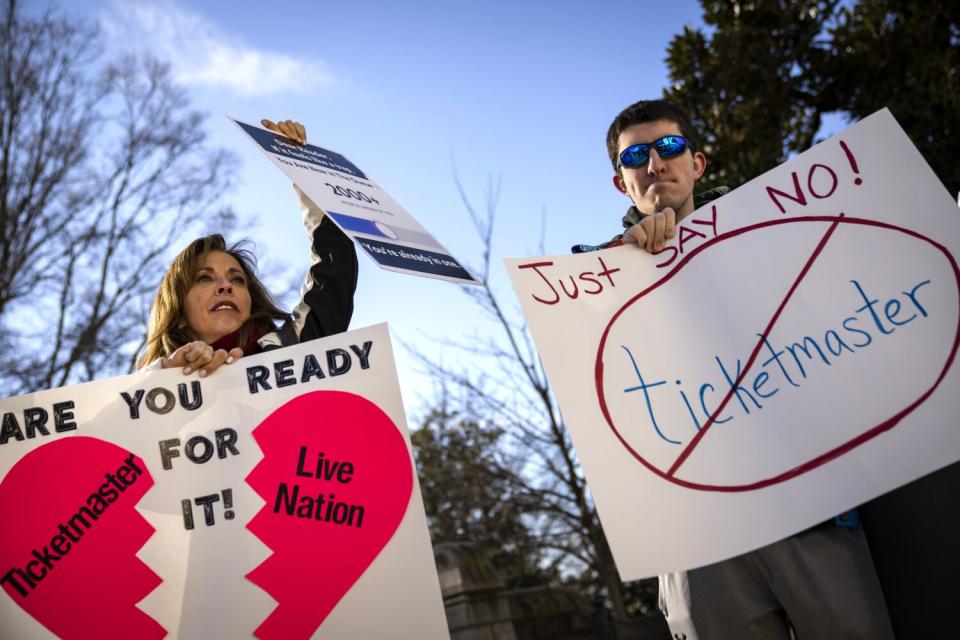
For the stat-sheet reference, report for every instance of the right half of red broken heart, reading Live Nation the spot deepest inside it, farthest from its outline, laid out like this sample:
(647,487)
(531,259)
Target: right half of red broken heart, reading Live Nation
(337,477)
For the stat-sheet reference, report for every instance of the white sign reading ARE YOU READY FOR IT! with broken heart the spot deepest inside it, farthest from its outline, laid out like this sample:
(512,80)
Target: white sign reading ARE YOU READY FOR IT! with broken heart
(276,498)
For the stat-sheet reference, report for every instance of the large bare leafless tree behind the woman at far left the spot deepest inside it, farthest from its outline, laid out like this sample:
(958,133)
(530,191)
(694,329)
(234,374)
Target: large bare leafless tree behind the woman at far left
(102,168)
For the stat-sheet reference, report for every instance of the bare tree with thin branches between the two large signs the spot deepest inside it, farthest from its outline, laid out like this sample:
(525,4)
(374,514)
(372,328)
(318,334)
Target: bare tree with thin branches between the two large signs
(504,390)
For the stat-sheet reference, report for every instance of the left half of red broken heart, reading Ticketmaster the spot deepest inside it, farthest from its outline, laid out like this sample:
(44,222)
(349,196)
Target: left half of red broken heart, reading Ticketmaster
(69,562)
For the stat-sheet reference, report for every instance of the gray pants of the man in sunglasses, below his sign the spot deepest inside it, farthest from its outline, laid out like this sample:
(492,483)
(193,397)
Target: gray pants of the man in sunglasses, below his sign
(822,580)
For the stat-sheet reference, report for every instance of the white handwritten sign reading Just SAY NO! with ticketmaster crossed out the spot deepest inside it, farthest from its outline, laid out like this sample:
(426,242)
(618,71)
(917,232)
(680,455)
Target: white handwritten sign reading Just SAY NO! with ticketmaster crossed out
(790,354)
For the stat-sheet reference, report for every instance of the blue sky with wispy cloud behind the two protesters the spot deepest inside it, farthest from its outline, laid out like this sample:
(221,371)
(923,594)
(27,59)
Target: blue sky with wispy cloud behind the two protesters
(518,91)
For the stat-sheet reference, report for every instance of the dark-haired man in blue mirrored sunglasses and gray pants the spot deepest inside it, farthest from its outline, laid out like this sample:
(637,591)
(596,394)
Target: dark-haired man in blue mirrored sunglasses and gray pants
(821,582)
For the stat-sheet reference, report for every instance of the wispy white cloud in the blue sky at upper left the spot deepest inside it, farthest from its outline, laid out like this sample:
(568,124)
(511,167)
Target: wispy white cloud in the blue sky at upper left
(201,54)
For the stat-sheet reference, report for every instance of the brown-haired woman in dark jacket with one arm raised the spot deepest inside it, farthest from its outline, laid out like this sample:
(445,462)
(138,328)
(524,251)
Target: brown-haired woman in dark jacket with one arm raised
(211,309)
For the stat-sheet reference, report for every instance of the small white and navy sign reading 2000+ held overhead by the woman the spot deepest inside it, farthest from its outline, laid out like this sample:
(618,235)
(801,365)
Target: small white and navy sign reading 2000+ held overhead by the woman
(364,211)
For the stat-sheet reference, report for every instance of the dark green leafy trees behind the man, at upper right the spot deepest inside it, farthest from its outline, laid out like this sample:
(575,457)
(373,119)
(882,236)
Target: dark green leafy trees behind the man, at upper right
(760,77)
